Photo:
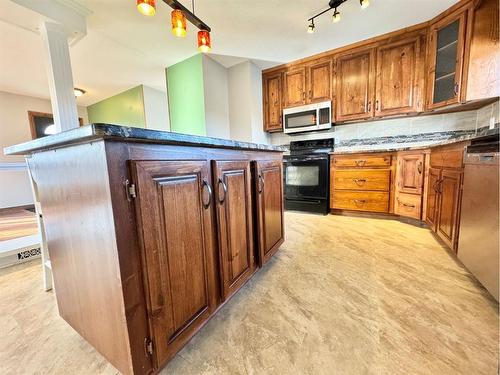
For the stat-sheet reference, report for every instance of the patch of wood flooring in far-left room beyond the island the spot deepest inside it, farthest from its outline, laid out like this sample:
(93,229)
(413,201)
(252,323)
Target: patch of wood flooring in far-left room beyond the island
(17,223)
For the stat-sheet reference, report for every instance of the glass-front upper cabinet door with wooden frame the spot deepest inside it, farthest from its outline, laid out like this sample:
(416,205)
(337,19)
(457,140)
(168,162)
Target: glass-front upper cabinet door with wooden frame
(446,55)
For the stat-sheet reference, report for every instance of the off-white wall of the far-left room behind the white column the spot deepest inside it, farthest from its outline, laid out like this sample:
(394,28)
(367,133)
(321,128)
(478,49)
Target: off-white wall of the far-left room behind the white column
(15,189)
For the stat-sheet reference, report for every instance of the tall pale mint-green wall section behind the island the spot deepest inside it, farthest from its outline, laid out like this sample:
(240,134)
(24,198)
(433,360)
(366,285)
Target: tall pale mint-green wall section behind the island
(186,97)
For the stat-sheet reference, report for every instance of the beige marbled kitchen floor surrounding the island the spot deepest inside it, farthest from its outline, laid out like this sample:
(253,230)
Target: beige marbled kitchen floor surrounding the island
(344,295)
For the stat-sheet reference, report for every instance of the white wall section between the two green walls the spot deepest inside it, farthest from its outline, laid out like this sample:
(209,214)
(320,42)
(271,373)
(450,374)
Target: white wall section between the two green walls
(155,109)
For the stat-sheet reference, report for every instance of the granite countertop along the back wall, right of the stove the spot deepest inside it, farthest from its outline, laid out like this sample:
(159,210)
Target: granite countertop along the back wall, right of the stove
(414,144)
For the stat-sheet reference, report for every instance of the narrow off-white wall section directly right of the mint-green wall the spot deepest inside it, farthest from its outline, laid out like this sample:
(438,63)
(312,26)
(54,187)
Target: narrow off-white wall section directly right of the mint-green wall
(215,86)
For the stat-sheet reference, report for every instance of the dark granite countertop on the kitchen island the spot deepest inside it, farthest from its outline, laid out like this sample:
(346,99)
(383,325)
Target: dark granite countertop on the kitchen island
(125,133)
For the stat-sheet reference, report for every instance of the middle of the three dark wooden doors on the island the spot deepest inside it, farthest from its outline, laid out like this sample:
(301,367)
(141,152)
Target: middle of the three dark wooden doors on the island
(234,214)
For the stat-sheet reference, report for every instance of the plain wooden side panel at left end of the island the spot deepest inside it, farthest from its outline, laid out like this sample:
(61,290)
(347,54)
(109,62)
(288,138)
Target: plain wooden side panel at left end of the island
(75,198)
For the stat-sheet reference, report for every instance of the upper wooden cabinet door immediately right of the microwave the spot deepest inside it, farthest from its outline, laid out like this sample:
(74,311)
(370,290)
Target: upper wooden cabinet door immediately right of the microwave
(355,81)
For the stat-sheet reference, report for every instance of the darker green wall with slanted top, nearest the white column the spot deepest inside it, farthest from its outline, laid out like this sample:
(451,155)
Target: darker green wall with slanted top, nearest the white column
(126,108)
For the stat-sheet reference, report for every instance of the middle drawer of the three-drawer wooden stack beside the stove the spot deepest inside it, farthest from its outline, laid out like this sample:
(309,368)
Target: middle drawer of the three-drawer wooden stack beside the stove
(361,179)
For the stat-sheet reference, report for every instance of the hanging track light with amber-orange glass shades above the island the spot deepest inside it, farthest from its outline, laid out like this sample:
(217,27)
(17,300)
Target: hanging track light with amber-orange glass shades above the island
(178,19)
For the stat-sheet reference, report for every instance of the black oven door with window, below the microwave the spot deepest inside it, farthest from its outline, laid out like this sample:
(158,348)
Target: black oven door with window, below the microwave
(306,177)
